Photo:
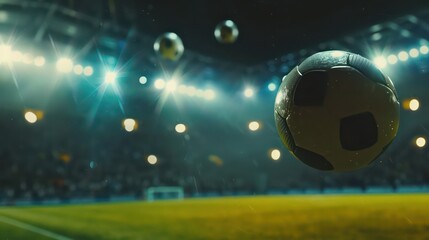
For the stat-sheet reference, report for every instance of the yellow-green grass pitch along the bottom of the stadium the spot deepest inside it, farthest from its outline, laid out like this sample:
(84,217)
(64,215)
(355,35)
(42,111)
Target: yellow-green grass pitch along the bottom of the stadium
(281,217)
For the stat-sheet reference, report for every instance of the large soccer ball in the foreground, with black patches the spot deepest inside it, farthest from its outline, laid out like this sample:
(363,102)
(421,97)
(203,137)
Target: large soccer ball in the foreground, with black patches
(336,111)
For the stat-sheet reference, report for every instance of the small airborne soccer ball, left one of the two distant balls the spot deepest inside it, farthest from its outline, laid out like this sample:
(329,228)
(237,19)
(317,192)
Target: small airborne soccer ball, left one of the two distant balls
(169,46)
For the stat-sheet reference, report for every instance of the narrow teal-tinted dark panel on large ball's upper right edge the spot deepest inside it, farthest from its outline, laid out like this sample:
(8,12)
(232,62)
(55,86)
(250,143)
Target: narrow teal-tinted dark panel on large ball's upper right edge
(367,68)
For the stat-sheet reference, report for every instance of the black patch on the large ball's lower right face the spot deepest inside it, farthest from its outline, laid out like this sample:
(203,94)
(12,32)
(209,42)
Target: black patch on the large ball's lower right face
(358,131)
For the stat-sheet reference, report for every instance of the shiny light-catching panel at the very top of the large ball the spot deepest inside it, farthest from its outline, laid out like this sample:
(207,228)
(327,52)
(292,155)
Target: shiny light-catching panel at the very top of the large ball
(323,60)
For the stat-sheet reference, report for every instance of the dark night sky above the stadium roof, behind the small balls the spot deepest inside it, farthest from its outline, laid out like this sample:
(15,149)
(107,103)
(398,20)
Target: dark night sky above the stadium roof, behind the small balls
(267,28)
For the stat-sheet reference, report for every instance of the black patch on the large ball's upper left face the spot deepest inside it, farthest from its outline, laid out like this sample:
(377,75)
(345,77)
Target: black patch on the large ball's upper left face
(311,89)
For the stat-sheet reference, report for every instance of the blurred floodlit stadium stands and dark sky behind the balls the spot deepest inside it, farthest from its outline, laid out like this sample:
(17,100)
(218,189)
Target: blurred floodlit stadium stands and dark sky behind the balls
(90,113)
